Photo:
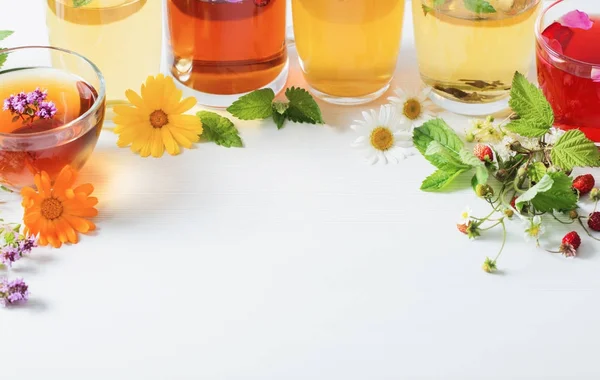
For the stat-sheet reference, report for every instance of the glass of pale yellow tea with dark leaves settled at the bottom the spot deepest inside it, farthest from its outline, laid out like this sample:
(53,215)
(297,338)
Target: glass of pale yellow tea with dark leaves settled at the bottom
(469,50)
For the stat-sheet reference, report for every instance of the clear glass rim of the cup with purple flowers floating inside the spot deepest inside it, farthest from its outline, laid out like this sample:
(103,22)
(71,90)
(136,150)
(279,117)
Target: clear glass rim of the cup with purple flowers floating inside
(97,103)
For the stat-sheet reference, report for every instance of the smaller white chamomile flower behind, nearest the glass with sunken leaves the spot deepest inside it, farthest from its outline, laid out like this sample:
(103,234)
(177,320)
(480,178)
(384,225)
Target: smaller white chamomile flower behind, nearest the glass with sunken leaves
(414,107)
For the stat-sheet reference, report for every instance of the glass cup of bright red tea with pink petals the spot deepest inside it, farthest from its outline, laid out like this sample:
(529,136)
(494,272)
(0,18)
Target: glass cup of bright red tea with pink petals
(568,63)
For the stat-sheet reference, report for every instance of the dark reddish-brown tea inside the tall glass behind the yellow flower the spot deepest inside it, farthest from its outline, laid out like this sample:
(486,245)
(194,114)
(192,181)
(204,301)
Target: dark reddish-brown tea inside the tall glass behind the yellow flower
(227,47)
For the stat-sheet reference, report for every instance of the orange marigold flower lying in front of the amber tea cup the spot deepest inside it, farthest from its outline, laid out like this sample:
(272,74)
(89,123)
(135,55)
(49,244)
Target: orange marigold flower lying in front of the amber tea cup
(56,212)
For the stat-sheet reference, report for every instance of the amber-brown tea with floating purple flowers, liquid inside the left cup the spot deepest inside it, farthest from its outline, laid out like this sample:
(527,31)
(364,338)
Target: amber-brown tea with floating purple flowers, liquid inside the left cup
(39,100)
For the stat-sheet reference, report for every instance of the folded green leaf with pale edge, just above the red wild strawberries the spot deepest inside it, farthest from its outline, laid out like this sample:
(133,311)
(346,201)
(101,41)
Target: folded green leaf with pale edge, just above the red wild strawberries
(553,192)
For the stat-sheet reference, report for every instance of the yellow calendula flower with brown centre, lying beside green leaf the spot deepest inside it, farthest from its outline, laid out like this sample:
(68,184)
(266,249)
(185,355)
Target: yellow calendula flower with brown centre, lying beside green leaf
(156,122)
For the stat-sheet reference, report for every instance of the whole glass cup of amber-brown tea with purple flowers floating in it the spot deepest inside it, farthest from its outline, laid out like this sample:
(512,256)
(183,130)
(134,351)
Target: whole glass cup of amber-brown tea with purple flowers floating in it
(50,116)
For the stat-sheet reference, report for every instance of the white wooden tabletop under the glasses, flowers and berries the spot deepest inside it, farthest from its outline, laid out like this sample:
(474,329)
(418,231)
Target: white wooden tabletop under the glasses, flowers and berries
(291,259)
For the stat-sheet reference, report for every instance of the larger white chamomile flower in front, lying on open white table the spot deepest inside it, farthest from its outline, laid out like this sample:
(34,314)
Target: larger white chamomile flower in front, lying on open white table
(383,137)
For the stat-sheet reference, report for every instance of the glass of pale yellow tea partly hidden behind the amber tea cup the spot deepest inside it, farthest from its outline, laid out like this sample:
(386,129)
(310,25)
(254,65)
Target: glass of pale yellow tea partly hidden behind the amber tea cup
(122,37)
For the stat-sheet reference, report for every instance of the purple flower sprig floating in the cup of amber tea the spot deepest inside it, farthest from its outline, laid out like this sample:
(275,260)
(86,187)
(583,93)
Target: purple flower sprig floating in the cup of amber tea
(28,106)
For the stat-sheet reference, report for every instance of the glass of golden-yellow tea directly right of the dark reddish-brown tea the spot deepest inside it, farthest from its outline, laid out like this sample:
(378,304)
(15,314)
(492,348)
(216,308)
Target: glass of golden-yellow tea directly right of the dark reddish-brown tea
(348,49)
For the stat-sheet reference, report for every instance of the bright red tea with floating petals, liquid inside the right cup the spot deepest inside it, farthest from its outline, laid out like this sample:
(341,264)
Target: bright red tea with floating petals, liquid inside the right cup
(568,86)
